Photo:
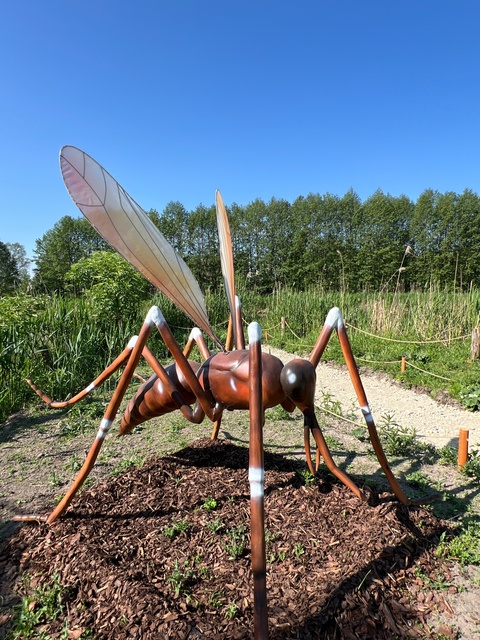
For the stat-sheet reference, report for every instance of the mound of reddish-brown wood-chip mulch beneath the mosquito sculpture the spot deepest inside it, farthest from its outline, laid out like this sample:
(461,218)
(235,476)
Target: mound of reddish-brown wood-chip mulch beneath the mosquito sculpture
(150,555)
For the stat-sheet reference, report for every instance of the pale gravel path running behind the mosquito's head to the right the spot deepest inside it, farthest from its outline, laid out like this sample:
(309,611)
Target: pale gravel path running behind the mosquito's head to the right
(434,422)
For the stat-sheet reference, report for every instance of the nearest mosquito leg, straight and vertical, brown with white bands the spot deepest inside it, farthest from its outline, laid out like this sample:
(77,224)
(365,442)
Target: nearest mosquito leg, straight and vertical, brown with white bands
(256,475)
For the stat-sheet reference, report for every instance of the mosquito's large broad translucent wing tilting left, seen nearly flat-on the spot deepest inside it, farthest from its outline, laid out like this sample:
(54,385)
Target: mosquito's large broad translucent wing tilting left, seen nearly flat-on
(127,228)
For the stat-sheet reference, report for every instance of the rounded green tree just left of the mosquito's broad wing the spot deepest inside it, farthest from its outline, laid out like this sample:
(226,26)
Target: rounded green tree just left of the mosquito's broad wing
(70,240)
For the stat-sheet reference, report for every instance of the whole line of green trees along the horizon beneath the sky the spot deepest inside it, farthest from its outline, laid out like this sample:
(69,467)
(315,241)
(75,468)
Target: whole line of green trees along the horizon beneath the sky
(384,243)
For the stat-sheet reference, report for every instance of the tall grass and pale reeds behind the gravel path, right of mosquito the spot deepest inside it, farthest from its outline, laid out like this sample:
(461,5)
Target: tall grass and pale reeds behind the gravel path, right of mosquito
(432,329)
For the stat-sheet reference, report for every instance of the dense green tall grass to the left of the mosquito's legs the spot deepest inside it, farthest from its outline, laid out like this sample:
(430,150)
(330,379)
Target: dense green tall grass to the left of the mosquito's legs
(59,343)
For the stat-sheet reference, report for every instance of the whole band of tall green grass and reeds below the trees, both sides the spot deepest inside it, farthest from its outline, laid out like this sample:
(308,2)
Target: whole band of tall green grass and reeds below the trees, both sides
(62,344)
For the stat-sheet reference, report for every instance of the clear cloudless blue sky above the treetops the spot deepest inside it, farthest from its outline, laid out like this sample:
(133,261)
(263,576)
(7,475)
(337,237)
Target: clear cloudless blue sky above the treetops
(257,98)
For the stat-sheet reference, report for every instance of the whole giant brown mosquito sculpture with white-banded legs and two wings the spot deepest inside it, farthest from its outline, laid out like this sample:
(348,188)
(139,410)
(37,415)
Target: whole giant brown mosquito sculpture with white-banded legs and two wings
(229,379)
